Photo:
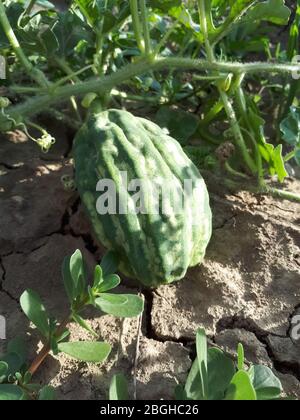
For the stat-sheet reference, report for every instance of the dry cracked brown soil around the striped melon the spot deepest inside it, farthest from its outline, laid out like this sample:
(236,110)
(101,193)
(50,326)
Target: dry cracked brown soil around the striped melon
(247,291)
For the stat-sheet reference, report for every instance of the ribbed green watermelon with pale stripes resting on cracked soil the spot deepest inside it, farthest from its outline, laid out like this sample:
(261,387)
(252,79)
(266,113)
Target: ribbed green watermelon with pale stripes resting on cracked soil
(151,248)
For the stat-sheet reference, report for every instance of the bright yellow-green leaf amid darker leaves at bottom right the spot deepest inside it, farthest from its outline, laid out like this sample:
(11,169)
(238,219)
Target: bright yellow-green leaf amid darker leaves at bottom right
(241,388)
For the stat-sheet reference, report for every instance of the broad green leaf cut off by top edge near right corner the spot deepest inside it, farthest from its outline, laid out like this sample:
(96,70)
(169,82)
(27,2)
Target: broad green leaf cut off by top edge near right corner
(274,11)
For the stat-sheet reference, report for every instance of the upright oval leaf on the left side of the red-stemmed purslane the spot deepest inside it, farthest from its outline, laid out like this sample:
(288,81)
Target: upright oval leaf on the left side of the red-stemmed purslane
(35,311)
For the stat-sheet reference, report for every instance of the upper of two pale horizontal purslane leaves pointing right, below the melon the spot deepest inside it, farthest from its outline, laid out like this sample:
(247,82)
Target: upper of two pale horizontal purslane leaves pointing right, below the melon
(122,306)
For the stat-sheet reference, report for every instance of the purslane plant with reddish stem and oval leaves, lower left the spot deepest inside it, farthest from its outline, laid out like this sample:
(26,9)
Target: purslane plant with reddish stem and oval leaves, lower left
(15,374)
